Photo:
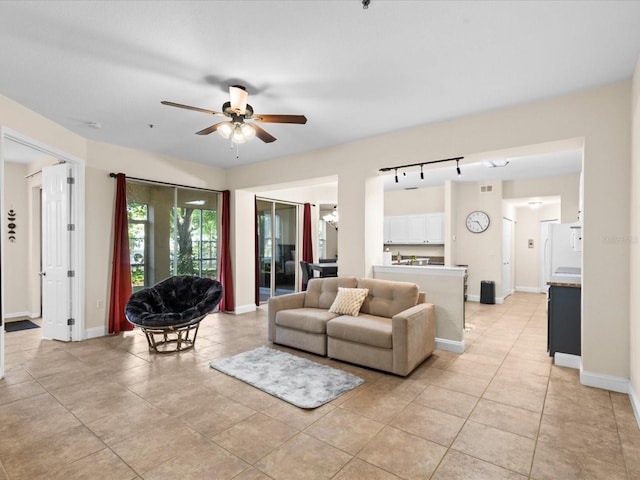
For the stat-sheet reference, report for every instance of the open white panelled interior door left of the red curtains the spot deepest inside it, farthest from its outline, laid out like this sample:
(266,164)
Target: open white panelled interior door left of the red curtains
(56,253)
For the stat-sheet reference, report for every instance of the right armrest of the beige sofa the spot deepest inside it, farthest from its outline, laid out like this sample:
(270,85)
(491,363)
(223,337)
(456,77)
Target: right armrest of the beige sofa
(413,337)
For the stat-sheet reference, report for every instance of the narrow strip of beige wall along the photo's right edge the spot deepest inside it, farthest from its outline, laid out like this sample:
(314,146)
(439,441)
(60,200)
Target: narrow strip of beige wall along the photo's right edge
(634,243)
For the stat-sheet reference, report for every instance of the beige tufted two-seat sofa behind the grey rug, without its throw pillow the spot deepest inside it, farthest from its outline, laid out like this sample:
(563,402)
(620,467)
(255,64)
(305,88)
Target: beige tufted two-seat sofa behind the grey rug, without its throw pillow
(394,330)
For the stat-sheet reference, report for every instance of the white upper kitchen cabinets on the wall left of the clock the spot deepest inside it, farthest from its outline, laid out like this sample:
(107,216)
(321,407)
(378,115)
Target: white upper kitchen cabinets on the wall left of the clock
(414,229)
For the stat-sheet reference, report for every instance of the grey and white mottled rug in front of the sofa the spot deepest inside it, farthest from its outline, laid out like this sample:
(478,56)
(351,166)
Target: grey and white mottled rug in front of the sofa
(296,380)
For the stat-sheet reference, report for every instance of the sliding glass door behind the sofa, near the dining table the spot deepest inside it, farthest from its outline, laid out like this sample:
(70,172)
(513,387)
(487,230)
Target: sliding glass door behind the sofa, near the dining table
(277,227)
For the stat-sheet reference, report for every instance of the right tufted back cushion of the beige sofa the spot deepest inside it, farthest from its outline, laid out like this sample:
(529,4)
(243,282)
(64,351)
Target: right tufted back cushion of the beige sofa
(387,298)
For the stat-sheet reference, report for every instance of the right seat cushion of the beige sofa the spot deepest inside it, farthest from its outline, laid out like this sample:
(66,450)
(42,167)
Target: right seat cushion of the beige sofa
(365,329)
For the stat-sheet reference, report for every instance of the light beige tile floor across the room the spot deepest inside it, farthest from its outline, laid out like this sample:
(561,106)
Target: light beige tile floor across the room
(107,409)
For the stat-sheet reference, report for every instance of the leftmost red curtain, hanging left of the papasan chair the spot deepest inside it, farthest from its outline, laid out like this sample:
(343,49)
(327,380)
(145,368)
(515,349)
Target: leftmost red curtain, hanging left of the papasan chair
(121,268)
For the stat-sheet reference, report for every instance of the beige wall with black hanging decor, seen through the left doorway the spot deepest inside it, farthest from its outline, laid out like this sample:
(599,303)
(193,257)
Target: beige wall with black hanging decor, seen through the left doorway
(16,253)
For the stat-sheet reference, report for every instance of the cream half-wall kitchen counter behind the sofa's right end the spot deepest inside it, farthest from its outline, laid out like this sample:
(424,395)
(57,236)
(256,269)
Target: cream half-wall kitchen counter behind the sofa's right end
(444,287)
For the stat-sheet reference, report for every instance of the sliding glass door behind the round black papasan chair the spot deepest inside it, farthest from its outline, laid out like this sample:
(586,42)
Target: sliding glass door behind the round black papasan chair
(172,231)
